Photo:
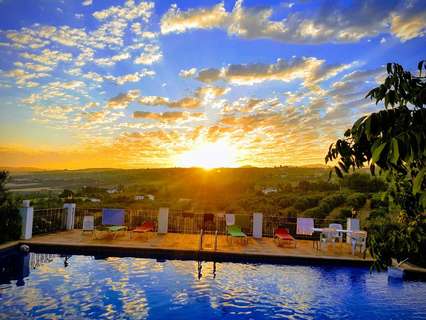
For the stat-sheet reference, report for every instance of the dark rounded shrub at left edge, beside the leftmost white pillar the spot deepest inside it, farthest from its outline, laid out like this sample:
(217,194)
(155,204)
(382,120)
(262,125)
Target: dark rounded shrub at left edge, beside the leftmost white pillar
(10,226)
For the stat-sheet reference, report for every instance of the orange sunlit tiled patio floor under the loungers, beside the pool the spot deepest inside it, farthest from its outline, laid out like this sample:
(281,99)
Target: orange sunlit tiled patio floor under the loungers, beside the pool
(190,243)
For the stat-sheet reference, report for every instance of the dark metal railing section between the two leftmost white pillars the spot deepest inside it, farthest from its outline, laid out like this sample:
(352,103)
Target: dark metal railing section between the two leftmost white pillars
(49,220)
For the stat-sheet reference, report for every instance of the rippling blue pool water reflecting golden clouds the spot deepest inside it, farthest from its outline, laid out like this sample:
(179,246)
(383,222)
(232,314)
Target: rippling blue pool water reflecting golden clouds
(82,287)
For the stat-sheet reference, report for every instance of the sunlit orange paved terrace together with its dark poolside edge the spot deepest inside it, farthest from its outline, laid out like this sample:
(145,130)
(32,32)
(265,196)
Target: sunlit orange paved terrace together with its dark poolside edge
(181,245)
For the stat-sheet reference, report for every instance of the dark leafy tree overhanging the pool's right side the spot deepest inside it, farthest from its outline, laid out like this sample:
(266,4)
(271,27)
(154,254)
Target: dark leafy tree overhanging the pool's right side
(393,141)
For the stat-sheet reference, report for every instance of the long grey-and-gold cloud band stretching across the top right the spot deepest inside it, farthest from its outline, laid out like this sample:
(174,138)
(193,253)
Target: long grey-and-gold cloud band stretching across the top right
(323,24)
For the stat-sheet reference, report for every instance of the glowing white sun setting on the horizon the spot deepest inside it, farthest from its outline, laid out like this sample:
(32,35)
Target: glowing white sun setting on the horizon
(209,155)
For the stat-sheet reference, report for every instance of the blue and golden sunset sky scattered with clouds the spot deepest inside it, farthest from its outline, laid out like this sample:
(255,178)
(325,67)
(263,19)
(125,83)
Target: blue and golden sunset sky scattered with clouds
(131,84)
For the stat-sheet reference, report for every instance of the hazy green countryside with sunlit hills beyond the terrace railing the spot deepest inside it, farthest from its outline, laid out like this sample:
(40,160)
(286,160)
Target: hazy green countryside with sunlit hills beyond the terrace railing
(286,191)
